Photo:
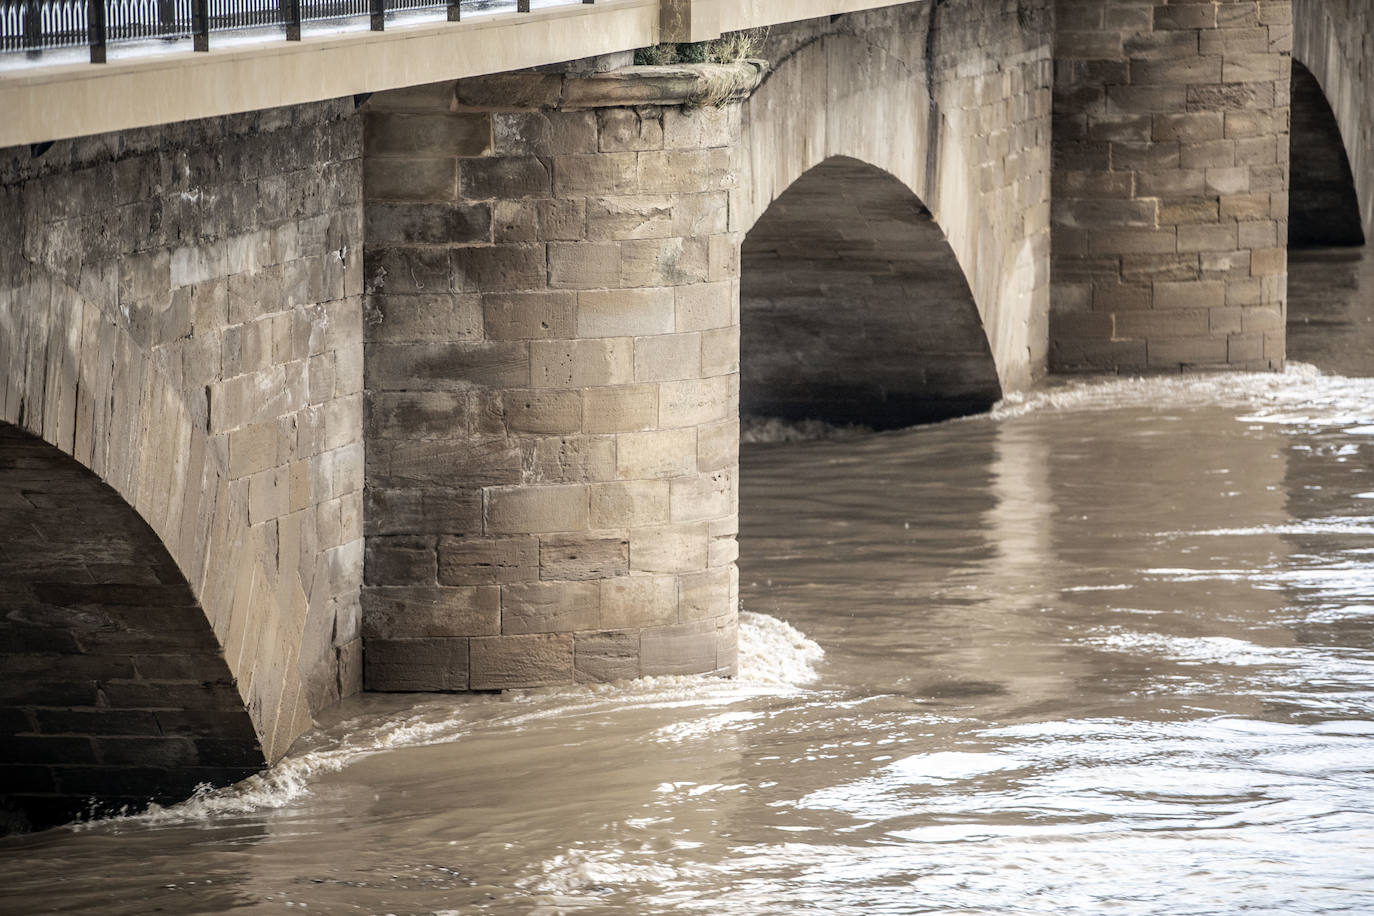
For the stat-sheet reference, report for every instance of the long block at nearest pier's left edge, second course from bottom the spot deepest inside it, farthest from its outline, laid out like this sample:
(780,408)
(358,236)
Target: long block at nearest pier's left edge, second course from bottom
(429,612)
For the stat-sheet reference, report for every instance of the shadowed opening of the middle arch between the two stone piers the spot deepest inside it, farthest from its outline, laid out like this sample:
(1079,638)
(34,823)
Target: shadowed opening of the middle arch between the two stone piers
(854,308)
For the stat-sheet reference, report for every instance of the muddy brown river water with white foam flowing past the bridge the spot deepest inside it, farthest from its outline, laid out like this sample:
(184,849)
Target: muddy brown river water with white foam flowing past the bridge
(1108,650)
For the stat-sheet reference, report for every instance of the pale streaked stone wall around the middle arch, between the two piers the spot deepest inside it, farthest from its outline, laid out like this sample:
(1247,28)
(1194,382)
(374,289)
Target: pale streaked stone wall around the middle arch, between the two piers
(953,102)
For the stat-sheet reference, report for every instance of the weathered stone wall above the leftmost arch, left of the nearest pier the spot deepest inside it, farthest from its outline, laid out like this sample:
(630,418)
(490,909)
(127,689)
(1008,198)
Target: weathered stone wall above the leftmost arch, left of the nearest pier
(181,314)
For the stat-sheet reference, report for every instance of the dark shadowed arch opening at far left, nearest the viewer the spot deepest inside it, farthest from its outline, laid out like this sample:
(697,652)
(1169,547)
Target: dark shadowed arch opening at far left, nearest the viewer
(113,687)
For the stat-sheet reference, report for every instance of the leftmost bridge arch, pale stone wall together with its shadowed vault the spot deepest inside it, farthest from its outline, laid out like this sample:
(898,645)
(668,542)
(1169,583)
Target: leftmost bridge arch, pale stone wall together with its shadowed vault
(181,350)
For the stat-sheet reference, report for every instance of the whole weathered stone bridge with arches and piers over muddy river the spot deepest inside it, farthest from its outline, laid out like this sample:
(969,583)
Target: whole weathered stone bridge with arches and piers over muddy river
(438,389)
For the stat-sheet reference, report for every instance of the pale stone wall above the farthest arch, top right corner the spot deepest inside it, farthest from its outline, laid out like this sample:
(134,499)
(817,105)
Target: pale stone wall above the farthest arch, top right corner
(1335,39)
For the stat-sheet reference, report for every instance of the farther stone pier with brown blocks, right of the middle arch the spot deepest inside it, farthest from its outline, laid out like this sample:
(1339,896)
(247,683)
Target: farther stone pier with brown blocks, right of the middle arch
(1171,139)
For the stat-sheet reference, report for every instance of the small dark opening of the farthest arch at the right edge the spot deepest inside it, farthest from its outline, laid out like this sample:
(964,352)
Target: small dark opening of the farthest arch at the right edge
(1324,205)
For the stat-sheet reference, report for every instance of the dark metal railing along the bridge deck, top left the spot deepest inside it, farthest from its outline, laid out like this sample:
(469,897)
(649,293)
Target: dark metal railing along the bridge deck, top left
(38,25)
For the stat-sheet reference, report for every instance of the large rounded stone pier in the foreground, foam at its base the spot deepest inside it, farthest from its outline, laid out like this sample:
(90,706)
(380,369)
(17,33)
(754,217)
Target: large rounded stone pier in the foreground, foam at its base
(553,378)
